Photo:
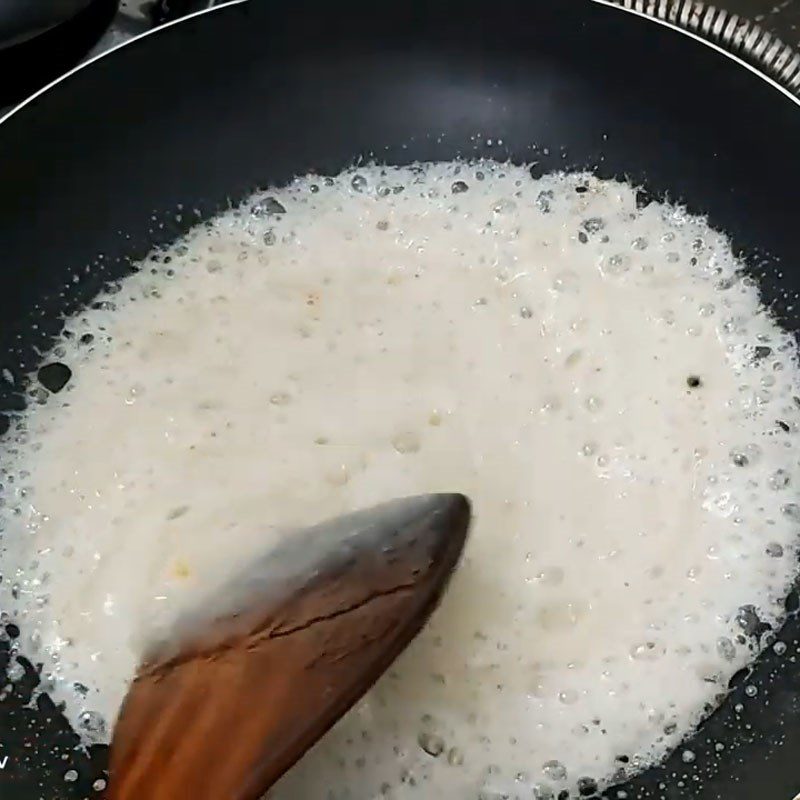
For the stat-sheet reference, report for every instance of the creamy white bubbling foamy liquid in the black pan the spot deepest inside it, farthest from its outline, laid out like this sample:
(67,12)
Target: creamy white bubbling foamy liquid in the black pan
(599,378)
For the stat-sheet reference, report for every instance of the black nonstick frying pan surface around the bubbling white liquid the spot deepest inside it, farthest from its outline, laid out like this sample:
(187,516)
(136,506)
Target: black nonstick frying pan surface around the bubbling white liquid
(93,171)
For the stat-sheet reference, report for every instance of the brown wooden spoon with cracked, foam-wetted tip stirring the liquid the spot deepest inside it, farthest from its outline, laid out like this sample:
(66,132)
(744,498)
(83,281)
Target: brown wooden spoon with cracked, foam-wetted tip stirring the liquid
(232,698)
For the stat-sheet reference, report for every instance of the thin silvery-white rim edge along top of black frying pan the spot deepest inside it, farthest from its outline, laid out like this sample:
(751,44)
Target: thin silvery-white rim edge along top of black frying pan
(230,3)
